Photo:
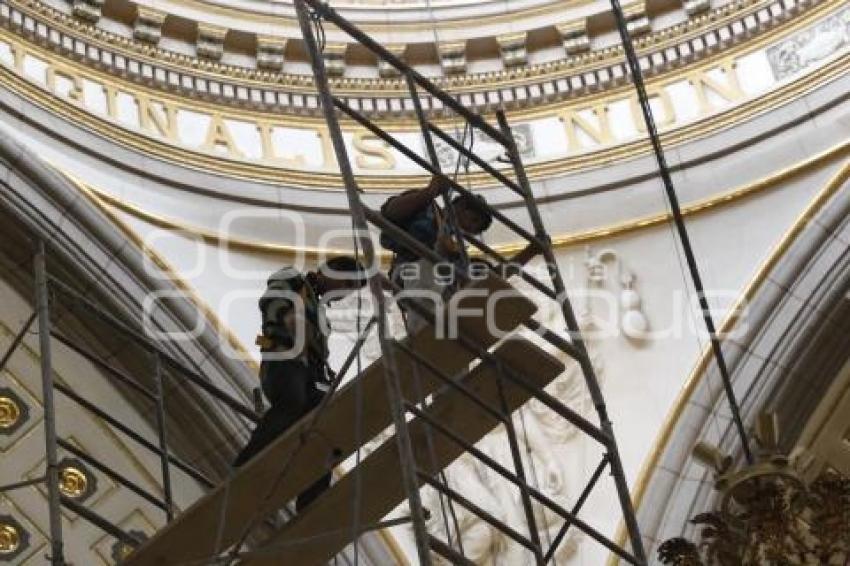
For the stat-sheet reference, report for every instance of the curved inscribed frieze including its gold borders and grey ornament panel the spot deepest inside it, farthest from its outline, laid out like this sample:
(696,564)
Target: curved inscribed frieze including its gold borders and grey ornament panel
(580,132)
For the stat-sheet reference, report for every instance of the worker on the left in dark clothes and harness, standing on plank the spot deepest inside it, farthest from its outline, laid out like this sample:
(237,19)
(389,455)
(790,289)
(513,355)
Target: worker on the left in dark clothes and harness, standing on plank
(294,372)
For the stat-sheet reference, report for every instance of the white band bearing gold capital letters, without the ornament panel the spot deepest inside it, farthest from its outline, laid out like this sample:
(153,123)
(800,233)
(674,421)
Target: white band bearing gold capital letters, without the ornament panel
(587,126)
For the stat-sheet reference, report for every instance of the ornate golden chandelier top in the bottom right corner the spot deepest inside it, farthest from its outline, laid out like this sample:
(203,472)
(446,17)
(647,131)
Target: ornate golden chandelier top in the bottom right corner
(767,514)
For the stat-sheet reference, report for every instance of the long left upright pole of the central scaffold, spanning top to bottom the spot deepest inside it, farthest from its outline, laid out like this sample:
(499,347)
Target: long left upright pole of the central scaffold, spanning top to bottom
(362,239)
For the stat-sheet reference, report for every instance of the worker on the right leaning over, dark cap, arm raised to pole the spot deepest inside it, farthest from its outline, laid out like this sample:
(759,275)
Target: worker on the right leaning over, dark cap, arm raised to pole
(417,213)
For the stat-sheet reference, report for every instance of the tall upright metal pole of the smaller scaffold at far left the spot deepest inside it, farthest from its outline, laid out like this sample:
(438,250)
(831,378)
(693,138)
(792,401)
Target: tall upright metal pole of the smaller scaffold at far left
(42,300)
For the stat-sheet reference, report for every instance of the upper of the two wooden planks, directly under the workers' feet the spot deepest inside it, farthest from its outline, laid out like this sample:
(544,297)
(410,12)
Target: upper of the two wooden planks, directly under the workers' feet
(191,537)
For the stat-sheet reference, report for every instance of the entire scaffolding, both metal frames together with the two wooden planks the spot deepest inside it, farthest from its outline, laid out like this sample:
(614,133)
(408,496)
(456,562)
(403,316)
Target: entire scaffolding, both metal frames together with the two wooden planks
(438,395)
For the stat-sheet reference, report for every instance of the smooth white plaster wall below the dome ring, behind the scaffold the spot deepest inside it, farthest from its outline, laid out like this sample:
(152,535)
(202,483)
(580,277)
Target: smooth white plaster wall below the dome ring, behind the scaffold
(640,380)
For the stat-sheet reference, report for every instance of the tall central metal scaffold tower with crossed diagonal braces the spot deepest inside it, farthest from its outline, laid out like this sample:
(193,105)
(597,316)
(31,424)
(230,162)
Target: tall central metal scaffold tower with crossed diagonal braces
(312,15)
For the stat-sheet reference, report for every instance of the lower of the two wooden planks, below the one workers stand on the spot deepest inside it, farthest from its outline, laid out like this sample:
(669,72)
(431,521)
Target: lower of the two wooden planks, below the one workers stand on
(324,528)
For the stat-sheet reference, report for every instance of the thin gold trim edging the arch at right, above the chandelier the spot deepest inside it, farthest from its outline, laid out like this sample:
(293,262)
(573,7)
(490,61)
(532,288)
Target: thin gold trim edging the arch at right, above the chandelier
(698,372)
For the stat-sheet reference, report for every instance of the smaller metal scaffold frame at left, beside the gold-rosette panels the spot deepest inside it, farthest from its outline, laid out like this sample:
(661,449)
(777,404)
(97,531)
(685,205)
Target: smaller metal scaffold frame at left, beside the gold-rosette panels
(52,294)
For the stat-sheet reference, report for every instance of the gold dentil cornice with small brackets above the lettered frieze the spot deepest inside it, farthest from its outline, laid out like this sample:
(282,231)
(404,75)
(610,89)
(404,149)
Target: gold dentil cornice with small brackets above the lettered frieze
(516,87)
